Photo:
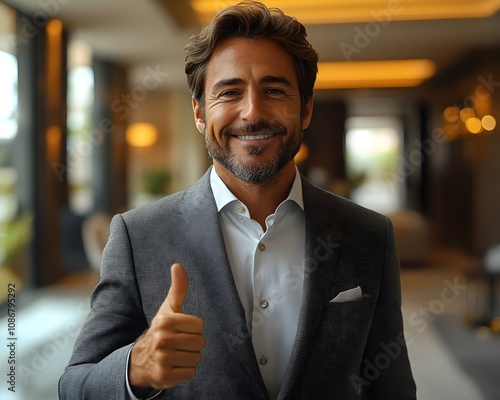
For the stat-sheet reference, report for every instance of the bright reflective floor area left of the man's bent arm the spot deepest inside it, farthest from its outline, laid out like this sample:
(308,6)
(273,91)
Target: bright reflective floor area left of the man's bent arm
(47,324)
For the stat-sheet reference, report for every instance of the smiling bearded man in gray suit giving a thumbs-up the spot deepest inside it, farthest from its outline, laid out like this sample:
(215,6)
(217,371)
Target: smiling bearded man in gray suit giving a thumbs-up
(252,283)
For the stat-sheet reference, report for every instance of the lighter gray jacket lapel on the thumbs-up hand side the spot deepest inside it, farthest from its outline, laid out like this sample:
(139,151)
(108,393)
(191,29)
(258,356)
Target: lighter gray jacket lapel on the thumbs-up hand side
(215,272)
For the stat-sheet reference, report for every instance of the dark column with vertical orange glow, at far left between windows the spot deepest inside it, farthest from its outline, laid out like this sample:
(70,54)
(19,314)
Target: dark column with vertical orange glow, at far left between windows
(41,141)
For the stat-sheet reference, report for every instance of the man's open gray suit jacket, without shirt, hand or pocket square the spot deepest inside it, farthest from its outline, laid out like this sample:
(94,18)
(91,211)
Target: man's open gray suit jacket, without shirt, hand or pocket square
(339,347)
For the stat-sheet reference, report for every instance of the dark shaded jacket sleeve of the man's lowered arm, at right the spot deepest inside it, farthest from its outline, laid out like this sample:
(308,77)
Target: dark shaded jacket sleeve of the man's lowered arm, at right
(385,371)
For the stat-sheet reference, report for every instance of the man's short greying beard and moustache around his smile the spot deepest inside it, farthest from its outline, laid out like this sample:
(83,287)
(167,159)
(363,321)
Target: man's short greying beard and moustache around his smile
(255,171)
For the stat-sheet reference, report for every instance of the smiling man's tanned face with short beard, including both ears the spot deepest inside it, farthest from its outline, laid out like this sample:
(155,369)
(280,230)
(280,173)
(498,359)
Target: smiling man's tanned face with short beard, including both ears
(252,118)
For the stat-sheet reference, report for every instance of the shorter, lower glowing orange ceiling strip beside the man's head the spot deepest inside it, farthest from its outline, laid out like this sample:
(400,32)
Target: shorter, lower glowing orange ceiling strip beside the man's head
(373,74)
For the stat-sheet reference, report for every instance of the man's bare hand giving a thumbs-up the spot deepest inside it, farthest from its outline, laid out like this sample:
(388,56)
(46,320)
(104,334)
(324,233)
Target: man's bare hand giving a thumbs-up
(169,351)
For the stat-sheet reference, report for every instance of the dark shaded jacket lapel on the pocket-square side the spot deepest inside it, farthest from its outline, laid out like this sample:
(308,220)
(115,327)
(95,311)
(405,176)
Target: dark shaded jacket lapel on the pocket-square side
(323,236)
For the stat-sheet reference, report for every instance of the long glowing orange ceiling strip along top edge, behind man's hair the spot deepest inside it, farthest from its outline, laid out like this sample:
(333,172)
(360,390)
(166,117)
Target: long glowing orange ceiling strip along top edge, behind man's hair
(353,11)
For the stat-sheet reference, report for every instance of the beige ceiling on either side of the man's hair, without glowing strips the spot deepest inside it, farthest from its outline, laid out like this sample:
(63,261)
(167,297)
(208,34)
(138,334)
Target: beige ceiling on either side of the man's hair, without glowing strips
(147,33)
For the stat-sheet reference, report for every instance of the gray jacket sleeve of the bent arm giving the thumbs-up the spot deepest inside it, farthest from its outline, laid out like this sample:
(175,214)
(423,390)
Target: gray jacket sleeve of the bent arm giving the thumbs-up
(98,365)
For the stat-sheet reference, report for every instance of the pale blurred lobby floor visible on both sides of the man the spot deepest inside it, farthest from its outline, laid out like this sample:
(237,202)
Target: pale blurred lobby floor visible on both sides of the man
(48,325)
